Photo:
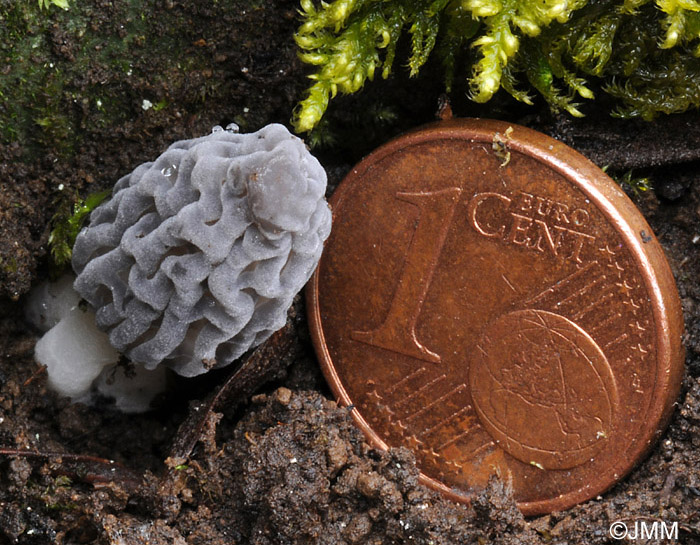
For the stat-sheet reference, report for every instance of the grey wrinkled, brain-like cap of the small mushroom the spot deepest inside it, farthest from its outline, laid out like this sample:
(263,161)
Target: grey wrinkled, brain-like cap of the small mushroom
(197,256)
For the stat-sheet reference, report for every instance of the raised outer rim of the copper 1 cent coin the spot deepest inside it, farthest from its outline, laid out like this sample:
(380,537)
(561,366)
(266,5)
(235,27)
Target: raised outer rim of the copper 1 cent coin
(625,218)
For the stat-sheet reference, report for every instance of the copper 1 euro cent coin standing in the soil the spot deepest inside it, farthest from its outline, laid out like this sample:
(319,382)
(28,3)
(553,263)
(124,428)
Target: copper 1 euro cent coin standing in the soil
(493,301)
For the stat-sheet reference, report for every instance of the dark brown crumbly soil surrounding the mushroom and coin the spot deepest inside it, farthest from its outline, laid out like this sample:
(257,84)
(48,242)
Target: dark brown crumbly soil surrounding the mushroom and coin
(286,466)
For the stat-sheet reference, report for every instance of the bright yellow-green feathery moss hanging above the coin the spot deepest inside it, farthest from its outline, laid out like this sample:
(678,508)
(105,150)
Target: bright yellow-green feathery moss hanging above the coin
(644,53)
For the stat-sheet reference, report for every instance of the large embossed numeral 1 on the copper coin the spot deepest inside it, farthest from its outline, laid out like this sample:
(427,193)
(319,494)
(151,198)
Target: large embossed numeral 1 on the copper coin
(398,331)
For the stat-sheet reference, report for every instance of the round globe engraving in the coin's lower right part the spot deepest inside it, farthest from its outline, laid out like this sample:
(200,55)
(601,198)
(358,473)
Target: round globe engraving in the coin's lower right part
(542,365)
